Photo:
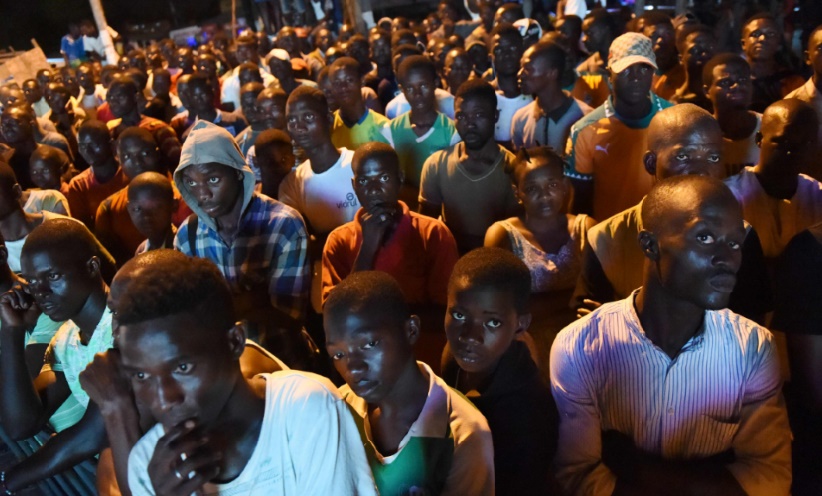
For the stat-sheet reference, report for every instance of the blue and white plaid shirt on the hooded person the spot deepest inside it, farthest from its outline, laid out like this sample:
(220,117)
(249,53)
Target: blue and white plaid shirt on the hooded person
(270,246)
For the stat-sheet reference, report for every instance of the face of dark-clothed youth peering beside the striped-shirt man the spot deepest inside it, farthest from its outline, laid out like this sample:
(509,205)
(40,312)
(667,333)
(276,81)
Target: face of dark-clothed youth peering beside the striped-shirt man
(480,324)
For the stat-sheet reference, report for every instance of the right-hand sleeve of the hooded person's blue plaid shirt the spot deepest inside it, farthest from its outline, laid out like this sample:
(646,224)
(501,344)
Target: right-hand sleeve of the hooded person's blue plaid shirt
(290,279)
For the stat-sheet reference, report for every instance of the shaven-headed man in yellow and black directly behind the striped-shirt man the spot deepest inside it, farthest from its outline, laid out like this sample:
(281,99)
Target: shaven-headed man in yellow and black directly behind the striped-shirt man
(682,140)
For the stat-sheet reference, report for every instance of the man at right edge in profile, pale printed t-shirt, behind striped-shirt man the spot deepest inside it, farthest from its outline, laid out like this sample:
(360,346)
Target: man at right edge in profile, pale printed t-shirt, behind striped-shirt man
(776,198)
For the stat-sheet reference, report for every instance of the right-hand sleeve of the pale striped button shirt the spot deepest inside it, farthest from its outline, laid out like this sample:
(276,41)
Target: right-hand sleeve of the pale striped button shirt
(762,445)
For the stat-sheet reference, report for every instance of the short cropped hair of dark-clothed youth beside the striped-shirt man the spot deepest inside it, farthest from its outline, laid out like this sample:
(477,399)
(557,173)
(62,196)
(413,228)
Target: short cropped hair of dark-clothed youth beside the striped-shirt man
(497,269)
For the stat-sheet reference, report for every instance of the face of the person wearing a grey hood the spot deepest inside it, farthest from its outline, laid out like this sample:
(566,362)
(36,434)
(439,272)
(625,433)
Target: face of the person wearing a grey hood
(216,187)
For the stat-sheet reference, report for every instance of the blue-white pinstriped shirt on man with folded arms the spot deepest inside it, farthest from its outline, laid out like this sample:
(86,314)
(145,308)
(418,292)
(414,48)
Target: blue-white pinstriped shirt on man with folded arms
(721,392)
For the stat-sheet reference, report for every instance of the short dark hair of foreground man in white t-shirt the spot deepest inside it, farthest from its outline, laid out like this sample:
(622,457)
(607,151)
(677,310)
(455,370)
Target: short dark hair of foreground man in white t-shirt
(171,285)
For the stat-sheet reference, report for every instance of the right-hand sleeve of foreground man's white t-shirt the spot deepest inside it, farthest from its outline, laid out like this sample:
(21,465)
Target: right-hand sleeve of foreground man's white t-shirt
(325,446)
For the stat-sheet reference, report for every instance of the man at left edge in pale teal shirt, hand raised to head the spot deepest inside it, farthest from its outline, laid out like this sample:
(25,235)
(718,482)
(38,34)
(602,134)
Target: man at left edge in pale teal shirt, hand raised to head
(63,280)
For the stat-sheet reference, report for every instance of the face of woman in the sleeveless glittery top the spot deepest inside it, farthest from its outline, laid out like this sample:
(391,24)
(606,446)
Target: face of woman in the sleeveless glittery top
(543,191)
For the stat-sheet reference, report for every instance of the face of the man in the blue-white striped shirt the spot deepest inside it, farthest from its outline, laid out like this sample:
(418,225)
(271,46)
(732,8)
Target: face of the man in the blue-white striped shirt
(699,254)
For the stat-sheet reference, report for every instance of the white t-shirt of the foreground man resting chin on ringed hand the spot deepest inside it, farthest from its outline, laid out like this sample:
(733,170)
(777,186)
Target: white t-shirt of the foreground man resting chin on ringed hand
(308,445)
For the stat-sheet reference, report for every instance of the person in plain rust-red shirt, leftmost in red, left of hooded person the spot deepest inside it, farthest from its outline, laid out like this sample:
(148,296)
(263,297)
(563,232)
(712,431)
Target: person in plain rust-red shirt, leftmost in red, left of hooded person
(104,177)
